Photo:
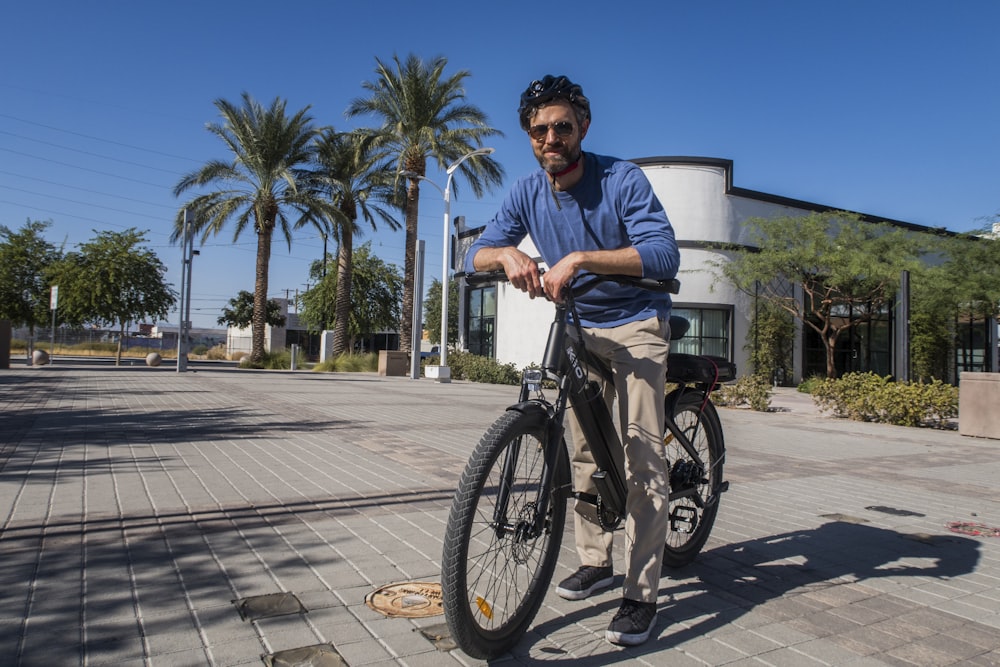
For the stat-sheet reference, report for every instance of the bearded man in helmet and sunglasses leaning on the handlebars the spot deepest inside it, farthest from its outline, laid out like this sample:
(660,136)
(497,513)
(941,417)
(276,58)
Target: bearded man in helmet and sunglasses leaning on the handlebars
(597,214)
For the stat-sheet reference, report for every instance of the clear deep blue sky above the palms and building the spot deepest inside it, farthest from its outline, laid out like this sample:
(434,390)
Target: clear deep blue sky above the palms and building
(890,108)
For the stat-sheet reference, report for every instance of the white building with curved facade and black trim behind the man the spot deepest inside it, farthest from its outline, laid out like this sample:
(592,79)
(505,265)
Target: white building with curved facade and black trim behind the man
(706,210)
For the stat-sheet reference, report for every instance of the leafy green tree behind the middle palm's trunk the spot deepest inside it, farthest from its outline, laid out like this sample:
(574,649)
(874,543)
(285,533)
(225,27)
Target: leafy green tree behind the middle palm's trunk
(375,297)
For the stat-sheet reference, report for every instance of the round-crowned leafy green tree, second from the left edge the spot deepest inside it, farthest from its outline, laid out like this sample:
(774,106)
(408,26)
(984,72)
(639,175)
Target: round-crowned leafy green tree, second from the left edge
(112,280)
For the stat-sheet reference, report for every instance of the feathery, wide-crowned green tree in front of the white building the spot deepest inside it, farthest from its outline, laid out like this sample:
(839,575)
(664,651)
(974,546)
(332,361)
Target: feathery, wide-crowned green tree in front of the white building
(847,269)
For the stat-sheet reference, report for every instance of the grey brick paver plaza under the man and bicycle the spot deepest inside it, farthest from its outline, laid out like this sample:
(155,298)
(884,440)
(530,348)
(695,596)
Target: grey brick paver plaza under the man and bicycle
(137,504)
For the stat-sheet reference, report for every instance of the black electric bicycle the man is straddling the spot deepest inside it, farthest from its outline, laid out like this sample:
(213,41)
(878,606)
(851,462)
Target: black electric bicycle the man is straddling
(506,523)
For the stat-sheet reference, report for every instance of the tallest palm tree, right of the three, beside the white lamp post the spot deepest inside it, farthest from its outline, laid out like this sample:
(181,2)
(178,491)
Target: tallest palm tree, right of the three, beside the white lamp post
(424,116)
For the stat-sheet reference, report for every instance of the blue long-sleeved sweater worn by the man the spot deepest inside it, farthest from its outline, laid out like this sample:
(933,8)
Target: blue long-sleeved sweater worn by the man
(613,206)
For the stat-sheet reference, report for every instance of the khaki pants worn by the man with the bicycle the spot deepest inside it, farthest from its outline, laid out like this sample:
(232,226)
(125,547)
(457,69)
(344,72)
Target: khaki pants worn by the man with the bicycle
(637,354)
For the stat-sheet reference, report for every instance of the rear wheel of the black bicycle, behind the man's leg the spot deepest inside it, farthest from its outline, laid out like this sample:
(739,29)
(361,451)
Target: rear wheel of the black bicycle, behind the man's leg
(692,518)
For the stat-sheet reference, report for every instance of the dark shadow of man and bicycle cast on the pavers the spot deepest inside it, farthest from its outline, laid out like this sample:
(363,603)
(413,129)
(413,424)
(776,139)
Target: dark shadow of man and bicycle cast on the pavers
(729,581)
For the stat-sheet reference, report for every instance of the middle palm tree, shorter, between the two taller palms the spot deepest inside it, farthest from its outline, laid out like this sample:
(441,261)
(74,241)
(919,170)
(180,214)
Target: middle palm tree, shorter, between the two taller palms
(358,181)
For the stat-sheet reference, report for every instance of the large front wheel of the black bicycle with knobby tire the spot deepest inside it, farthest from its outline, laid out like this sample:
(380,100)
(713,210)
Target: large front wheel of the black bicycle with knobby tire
(493,581)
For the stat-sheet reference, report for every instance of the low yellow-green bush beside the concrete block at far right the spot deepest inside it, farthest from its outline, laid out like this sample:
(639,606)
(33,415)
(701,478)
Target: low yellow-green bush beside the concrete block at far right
(873,398)
